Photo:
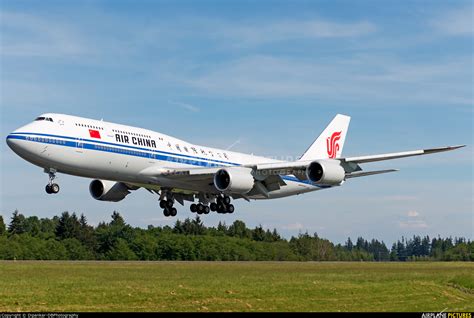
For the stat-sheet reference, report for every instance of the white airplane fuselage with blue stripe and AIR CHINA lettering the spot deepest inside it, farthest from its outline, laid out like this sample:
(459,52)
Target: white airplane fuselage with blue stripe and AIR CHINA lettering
(102,150)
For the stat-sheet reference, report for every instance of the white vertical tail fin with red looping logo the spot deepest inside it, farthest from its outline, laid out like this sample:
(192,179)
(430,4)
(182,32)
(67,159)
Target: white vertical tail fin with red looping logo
(331,141)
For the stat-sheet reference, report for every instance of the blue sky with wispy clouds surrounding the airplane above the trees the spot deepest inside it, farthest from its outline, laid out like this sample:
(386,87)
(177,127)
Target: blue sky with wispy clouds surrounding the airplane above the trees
(267,76)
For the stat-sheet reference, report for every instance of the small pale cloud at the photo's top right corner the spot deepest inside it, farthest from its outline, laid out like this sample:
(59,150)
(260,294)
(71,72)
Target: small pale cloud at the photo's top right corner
(457,22)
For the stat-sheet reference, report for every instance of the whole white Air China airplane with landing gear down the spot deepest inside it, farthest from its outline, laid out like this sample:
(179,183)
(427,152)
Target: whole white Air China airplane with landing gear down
(122,158)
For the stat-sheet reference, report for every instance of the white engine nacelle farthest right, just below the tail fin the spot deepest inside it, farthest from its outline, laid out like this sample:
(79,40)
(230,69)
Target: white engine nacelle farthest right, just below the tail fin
(325,172)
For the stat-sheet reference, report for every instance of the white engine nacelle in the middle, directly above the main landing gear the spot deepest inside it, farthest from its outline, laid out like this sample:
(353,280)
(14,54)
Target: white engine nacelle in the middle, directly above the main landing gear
(234,180)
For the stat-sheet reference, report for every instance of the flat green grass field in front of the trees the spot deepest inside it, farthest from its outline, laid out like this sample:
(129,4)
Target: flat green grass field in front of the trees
(215,286)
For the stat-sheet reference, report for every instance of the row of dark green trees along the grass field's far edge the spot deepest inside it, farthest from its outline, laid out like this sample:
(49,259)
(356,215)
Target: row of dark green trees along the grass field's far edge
(70,237)
